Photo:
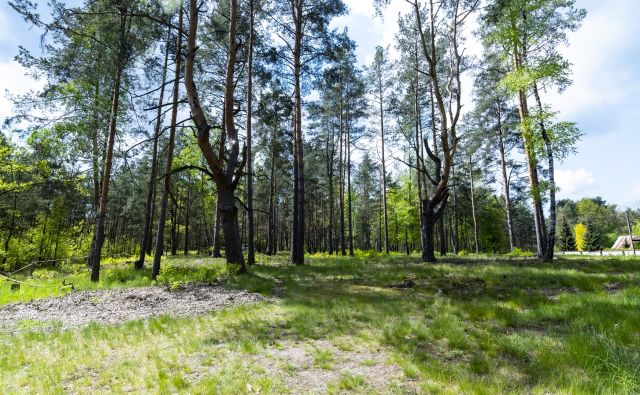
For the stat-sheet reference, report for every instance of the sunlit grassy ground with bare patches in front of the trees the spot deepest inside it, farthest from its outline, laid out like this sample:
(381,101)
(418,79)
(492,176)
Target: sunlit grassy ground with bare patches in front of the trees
(368,324)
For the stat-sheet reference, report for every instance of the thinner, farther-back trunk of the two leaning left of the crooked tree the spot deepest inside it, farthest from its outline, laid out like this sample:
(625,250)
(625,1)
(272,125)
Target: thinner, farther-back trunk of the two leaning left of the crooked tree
(146,239)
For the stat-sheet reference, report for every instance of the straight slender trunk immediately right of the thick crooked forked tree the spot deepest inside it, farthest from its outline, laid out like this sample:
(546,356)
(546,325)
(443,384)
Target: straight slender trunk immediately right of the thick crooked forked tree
(250,226)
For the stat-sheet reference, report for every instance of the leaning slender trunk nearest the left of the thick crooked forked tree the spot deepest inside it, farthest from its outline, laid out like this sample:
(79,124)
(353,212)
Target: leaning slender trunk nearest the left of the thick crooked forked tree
(162,217)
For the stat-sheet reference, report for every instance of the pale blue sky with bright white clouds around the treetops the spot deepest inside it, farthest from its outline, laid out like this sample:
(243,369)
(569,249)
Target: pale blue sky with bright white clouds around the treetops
(604,99)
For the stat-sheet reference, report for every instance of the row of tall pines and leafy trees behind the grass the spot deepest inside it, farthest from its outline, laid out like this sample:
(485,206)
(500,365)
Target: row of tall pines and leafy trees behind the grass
(195,122)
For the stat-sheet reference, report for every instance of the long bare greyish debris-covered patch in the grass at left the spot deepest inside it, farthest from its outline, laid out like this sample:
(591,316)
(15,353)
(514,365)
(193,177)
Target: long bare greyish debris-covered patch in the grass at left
(109,307)
